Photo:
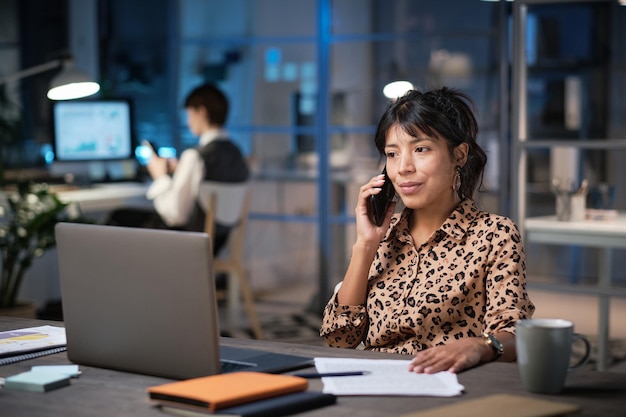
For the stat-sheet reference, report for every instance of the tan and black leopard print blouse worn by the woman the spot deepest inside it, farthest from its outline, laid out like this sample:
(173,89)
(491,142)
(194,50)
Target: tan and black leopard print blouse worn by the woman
(467,279)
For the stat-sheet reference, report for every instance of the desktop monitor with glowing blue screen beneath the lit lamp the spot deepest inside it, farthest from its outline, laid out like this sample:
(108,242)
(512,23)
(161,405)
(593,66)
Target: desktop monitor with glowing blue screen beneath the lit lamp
(92,130)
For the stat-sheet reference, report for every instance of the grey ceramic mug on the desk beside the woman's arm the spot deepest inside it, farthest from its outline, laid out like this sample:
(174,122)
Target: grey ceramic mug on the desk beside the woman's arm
(544,348)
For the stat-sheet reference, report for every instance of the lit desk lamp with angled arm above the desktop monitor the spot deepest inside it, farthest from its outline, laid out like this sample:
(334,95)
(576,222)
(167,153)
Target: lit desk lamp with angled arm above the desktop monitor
(69,84)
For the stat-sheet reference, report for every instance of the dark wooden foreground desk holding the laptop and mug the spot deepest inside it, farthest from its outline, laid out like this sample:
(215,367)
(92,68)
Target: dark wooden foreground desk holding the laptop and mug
(102,392)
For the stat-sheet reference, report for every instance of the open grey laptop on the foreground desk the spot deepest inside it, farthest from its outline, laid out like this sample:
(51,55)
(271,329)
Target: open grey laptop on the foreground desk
(143,301)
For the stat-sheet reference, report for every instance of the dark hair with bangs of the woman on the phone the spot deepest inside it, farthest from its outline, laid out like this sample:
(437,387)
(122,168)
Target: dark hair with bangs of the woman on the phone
(443,113)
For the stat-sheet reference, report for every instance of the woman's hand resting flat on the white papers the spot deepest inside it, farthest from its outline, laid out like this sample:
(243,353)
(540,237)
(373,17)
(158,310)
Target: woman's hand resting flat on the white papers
(452,357)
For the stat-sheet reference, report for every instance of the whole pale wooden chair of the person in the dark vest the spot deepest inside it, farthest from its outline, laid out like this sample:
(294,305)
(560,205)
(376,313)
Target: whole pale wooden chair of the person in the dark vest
(229,204)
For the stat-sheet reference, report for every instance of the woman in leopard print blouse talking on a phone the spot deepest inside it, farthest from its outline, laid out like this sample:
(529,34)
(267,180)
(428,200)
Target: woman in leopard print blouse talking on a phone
(441,280)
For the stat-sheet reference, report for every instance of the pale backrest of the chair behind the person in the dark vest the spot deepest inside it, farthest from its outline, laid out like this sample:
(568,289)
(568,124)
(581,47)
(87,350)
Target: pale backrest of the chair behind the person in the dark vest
(228,204)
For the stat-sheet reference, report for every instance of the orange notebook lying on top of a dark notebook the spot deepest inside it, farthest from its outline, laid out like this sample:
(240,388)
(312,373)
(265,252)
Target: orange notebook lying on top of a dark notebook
(226,390)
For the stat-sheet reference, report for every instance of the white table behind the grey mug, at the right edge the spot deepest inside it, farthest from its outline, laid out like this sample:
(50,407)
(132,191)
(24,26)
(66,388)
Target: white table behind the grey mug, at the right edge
(604,235)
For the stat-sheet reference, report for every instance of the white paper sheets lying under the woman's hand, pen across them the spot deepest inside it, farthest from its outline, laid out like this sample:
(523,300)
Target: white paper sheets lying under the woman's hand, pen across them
(385,377)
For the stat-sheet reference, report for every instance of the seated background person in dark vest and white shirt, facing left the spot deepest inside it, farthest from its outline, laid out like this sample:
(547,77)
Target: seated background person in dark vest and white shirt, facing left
(176,183)
